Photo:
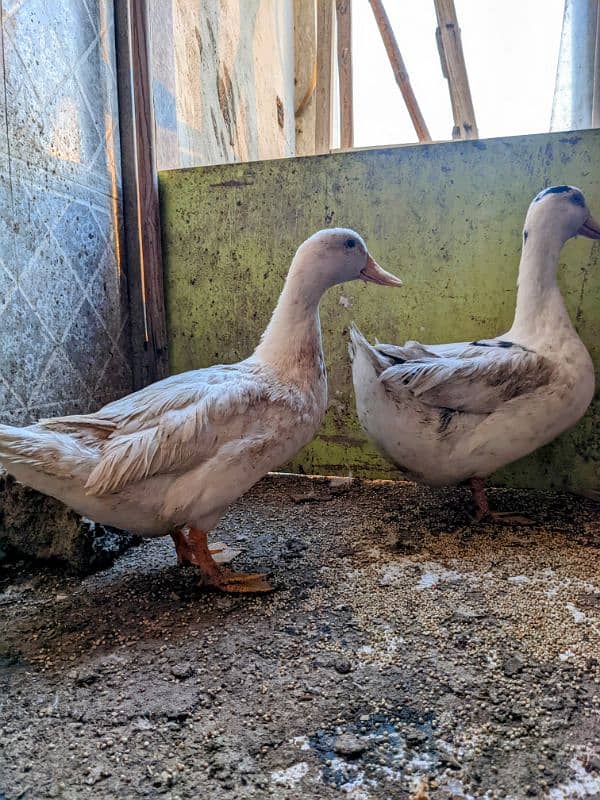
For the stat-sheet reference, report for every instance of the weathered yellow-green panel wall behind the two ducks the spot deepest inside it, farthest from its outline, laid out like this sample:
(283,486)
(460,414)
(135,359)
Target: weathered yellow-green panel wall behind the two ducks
(446,218)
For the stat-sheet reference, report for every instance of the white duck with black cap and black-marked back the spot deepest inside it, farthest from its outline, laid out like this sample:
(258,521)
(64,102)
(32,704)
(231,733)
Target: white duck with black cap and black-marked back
(450,413)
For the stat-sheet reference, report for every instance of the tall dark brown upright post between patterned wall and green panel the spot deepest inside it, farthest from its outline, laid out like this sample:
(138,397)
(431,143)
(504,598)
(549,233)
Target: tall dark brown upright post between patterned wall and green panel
(140,194)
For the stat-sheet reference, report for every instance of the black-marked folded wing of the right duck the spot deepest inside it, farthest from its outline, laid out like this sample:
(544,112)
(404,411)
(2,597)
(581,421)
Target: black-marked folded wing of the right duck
(475,377)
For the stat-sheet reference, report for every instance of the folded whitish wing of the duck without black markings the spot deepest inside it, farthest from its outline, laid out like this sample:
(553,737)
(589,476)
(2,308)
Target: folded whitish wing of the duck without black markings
(173,424)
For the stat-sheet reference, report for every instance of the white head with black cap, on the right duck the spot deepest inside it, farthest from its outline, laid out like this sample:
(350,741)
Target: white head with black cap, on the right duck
(563,210)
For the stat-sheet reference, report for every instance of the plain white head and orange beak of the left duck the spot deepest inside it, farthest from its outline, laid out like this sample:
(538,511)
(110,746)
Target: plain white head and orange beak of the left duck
(338,255)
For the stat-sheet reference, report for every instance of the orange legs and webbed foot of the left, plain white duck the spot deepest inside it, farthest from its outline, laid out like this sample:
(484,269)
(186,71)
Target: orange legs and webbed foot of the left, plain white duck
(192,548)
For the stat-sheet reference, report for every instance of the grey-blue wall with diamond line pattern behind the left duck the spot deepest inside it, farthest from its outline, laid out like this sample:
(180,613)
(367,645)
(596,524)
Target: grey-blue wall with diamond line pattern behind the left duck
(64,337)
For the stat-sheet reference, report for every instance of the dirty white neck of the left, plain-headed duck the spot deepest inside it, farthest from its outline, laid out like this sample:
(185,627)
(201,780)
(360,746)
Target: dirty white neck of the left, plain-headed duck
(291,344)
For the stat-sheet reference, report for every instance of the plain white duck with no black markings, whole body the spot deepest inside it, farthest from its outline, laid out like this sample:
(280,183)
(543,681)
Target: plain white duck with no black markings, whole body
(171,457)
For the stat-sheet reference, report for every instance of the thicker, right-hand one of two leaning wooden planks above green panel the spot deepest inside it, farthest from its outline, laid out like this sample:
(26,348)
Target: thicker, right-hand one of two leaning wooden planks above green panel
(455,70)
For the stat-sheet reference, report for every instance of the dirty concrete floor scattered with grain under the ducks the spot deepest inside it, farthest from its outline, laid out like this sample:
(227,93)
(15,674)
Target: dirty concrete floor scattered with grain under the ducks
(402,655)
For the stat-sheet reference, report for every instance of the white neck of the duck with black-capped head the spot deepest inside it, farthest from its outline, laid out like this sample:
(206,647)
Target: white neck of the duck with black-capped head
(540,306)
